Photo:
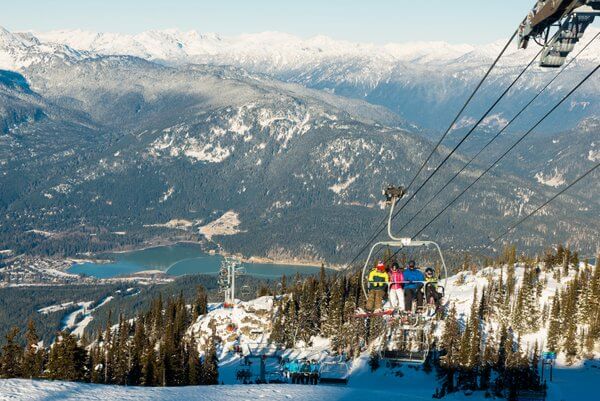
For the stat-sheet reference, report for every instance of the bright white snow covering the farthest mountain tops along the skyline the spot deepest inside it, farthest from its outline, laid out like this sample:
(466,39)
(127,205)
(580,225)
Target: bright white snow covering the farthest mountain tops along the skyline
(278,49)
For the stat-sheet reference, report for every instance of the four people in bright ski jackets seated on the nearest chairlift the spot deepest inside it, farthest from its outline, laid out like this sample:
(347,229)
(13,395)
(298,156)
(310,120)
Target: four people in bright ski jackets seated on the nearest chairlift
(403,287)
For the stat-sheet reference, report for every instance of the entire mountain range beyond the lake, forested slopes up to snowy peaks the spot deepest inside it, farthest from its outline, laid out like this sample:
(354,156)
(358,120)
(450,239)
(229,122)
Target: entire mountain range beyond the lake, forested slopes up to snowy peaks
(107,133)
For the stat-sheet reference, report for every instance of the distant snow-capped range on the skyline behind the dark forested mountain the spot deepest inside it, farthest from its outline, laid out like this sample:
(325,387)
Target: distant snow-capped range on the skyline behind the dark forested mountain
(420,81)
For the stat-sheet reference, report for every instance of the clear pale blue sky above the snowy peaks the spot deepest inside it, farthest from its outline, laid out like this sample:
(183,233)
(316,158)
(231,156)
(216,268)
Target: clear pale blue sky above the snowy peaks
(376,21)
